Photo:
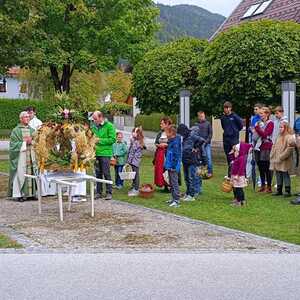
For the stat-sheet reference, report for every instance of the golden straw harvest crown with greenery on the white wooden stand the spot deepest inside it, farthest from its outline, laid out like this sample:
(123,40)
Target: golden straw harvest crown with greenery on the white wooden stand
(64,143)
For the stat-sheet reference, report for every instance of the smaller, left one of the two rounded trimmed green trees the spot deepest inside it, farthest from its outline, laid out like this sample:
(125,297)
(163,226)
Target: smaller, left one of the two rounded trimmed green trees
(162,72)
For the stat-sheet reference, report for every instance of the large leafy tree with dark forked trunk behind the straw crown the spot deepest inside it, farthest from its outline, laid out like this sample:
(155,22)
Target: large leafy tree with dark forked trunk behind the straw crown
(68,35)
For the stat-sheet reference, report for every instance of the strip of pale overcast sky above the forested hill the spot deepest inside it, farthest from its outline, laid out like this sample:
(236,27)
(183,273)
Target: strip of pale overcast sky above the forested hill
(223,7)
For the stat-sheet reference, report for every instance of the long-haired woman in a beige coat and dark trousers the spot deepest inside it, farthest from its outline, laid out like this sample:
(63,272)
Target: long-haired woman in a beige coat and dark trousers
(281,158)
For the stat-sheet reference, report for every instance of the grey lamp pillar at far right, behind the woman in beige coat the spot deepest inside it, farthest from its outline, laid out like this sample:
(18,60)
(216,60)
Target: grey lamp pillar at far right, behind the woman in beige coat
(289,100)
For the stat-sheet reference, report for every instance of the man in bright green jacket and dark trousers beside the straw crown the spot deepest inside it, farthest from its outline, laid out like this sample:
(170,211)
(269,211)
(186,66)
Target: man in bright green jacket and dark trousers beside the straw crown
(106,133)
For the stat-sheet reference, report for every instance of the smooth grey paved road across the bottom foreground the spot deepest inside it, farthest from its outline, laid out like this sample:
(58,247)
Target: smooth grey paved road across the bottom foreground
(150,276)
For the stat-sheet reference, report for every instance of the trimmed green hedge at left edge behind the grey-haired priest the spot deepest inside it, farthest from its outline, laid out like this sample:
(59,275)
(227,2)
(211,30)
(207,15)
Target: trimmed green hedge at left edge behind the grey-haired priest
(11,108)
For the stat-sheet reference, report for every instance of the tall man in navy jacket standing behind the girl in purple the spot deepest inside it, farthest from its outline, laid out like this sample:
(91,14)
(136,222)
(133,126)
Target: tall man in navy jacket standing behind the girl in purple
(232,124)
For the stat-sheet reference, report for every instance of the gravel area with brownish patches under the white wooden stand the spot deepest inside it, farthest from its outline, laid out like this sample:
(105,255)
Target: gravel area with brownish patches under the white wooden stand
(119,225)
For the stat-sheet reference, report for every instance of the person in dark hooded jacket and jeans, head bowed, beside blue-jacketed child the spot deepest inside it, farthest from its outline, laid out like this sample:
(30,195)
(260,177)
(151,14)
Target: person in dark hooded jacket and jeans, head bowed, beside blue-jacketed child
(192,157)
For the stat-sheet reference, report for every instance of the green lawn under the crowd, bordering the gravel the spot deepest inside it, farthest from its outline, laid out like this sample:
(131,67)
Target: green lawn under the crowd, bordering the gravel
(263,215)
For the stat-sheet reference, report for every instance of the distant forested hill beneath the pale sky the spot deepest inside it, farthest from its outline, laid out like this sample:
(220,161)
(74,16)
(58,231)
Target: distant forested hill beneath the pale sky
(187,20)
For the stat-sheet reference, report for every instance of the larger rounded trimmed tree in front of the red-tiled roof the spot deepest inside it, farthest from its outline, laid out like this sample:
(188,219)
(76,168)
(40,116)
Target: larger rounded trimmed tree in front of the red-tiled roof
(246,65)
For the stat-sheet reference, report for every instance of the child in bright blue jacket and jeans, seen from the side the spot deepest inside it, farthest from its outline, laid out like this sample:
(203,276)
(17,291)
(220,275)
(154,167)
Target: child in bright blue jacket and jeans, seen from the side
(172,164)
